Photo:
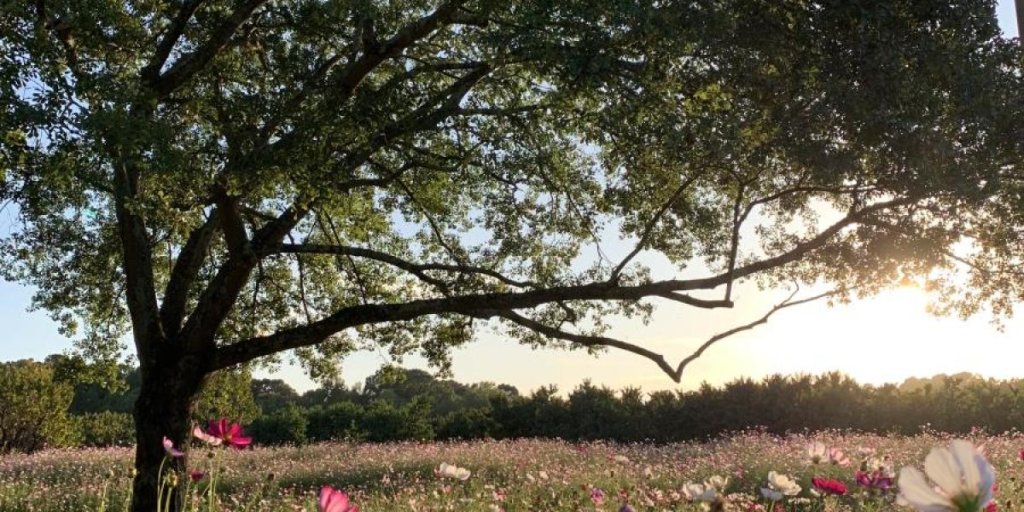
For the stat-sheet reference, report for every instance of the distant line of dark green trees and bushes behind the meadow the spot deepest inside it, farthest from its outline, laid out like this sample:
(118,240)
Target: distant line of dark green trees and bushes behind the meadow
(414,405)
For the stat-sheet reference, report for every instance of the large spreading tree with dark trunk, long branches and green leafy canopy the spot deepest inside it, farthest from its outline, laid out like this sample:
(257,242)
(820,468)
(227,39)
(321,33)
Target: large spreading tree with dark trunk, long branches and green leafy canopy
(235,180)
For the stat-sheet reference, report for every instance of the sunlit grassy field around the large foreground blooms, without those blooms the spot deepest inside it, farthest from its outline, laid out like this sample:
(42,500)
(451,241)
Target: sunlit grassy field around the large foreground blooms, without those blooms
(521,476)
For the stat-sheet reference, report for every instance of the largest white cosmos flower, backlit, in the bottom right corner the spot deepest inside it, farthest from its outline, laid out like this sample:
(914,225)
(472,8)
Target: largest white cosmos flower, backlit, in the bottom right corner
(963,480)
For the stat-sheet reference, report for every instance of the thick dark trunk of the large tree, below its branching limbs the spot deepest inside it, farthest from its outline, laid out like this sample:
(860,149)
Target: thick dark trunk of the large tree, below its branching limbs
(163,409)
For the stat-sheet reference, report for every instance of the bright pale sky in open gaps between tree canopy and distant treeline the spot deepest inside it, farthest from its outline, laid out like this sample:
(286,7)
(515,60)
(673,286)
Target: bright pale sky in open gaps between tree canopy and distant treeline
(884,339)
